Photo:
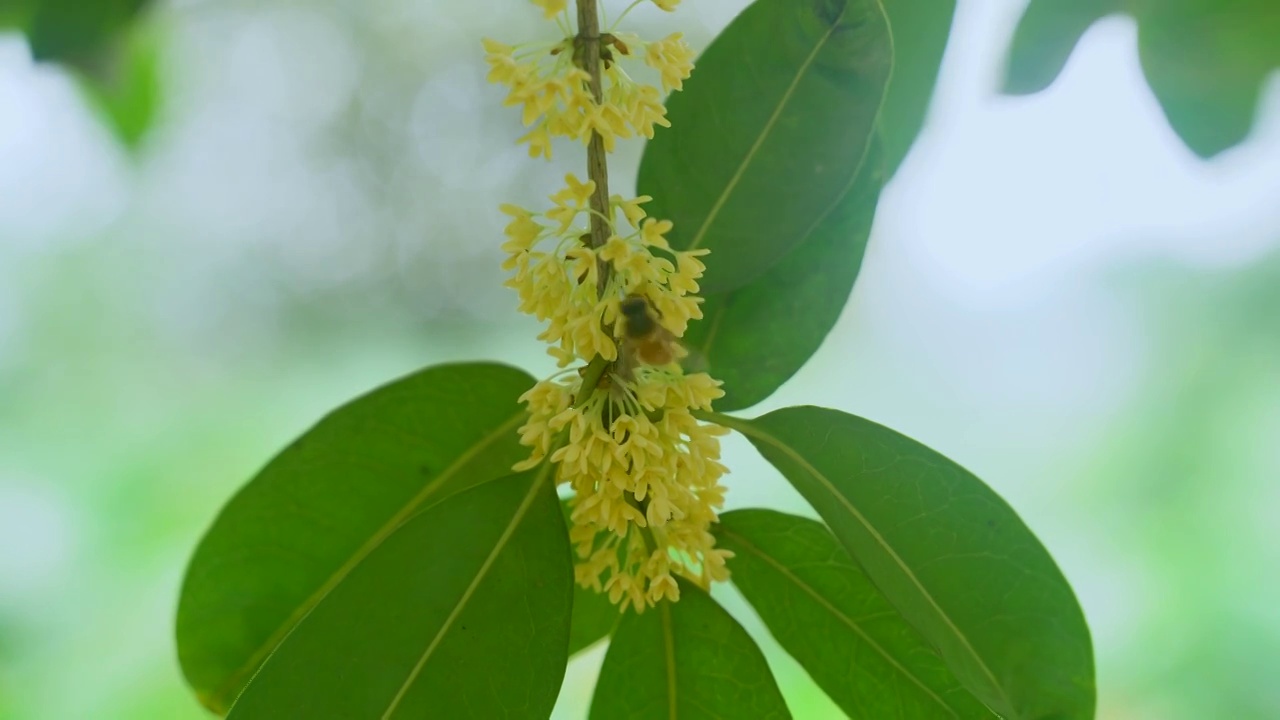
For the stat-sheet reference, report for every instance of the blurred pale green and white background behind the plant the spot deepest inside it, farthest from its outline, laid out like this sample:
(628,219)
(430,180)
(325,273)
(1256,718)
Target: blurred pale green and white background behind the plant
(1058,295)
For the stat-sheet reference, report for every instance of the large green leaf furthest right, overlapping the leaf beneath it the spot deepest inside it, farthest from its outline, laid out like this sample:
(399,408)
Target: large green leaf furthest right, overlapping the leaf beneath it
(948,553)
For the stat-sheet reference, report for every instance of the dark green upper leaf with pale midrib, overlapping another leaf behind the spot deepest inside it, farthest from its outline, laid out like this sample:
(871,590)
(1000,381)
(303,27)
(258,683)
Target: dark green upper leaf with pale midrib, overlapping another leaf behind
(776,119)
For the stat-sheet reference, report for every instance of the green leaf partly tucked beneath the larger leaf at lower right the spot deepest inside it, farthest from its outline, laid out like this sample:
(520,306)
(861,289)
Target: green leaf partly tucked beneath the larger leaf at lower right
(830,617)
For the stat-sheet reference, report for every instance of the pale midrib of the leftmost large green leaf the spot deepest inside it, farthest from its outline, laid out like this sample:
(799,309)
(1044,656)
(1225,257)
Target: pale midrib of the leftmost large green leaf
(234,681)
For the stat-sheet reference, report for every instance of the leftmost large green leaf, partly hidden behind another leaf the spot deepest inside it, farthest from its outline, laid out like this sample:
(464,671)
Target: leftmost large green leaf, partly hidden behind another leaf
(295,532)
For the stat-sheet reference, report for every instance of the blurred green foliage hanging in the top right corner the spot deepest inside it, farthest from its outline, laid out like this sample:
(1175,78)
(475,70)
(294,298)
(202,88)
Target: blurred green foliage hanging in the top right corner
(1206,61)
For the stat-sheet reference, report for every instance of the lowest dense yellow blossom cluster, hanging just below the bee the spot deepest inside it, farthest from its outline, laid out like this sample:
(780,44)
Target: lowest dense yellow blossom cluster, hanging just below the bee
(639,464)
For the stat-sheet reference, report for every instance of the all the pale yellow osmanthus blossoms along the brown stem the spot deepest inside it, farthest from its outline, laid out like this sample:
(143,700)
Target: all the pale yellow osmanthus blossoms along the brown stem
(619,422)
